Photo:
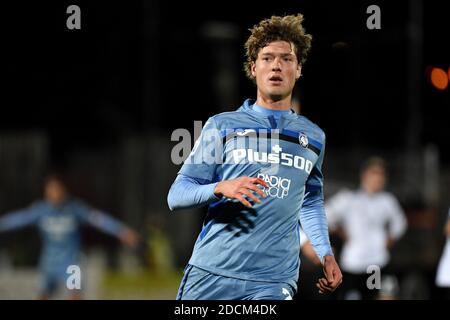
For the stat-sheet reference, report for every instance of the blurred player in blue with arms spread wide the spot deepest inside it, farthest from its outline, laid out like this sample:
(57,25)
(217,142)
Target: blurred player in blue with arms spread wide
(58,218)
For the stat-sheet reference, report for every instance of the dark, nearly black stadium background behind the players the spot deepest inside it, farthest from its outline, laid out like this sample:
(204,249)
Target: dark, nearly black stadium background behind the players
(104,100)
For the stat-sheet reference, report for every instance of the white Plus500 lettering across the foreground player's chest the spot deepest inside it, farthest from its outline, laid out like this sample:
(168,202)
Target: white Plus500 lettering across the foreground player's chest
(285,159)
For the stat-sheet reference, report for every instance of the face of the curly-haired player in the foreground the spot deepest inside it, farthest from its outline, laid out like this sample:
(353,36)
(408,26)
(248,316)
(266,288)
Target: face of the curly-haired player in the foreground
(276,69)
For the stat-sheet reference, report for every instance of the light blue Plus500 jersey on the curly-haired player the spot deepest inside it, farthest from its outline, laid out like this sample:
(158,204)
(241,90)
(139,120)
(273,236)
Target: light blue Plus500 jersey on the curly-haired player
(260,243)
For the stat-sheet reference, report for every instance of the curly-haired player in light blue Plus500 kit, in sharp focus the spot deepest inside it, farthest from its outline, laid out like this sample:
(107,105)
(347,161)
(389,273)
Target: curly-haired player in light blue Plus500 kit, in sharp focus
(260,171)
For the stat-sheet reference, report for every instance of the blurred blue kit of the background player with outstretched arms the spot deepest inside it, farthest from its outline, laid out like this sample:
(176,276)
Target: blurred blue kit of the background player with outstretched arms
(59,228)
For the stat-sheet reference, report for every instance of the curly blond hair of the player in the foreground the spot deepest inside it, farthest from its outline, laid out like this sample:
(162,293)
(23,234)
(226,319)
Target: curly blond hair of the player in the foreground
(287,28)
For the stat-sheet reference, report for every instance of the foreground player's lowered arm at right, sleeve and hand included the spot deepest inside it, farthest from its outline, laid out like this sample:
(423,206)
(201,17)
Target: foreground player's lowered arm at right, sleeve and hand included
(314,223)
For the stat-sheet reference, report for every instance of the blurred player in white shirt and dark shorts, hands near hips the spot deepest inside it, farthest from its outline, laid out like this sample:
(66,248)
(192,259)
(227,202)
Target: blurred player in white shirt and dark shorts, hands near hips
(369,220)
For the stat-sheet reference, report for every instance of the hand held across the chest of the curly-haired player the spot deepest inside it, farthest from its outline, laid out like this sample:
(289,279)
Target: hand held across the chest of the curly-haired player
(240,187)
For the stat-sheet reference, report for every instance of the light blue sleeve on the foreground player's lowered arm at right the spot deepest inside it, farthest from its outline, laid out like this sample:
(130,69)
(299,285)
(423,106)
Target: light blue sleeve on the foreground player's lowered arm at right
(312,215)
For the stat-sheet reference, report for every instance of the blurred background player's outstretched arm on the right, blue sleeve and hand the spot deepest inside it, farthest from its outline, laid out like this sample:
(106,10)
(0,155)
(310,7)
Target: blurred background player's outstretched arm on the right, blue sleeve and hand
(108,224)
